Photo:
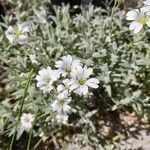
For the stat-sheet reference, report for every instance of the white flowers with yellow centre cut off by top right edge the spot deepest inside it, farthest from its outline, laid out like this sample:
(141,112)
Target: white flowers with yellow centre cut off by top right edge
(139,17)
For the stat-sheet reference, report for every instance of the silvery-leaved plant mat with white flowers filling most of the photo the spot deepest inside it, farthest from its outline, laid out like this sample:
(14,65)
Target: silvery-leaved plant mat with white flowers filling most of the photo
(62,72)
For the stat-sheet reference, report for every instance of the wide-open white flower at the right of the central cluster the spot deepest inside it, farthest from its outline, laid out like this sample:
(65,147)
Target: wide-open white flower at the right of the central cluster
(80,80)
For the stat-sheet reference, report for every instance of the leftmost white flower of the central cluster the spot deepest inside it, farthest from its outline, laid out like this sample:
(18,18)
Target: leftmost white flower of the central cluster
(46,78)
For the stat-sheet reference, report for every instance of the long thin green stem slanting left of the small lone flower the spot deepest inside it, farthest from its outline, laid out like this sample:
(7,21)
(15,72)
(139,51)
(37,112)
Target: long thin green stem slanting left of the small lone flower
(20,111)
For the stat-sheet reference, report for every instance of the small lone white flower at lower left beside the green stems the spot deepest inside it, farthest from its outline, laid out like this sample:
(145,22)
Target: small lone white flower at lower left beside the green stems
(26,121)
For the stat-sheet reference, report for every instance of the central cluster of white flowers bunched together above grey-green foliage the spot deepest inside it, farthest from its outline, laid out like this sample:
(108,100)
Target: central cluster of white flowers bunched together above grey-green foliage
(75,78)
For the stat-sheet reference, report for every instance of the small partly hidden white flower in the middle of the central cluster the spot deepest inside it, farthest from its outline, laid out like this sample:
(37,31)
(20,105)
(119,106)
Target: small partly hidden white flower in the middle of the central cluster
(63,89)
